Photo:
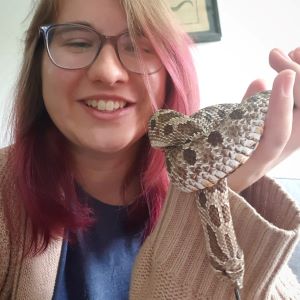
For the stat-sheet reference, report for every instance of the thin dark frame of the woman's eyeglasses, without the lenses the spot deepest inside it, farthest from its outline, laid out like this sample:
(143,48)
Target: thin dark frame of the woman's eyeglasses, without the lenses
(113,39)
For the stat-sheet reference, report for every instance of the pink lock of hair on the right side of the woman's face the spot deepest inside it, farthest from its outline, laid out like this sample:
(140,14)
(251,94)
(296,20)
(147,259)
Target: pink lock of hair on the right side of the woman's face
(182,95)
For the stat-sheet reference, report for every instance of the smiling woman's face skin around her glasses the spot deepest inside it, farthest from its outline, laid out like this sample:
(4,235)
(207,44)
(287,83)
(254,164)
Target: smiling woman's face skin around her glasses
(68,94)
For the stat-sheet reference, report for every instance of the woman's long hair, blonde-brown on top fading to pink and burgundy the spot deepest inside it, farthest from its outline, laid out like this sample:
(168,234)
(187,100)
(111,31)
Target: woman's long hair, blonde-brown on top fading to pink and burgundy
(40,167)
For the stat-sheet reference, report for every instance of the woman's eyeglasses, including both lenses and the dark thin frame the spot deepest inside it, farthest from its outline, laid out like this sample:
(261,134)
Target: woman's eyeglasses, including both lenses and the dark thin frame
(76,46)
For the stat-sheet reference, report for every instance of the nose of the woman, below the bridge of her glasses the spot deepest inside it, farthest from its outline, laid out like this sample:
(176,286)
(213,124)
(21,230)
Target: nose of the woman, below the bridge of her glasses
(107,67)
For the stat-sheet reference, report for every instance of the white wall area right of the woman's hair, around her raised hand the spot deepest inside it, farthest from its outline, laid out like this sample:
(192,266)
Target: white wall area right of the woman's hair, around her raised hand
(251,28)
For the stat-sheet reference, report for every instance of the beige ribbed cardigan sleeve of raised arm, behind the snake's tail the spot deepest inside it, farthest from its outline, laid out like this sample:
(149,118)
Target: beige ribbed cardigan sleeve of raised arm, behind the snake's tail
(172,263)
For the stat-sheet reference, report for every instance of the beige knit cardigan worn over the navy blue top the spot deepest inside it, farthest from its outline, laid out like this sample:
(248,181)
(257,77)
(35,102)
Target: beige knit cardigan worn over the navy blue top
(172,263)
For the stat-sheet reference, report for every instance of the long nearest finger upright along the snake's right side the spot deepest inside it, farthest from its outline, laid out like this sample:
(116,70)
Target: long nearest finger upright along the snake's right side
(276,134)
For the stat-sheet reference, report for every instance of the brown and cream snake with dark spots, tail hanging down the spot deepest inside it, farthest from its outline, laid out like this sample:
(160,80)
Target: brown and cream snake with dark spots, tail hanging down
(201,151)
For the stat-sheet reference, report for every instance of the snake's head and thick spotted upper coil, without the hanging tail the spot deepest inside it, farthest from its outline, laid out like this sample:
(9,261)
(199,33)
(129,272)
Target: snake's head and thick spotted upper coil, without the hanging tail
(209,145)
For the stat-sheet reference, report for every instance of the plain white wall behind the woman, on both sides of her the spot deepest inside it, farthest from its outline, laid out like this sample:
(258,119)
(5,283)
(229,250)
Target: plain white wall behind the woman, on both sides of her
(250,29)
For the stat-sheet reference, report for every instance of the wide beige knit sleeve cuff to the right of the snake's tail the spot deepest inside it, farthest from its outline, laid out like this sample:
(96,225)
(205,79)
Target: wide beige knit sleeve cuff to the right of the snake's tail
(271,221)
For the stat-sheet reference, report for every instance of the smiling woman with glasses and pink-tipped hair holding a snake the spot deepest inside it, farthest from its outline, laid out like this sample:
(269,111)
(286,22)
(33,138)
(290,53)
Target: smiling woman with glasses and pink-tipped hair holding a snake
(81,187)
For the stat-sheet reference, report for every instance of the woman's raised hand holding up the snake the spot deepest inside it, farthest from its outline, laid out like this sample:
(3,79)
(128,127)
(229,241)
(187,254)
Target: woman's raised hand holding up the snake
(282,126)
